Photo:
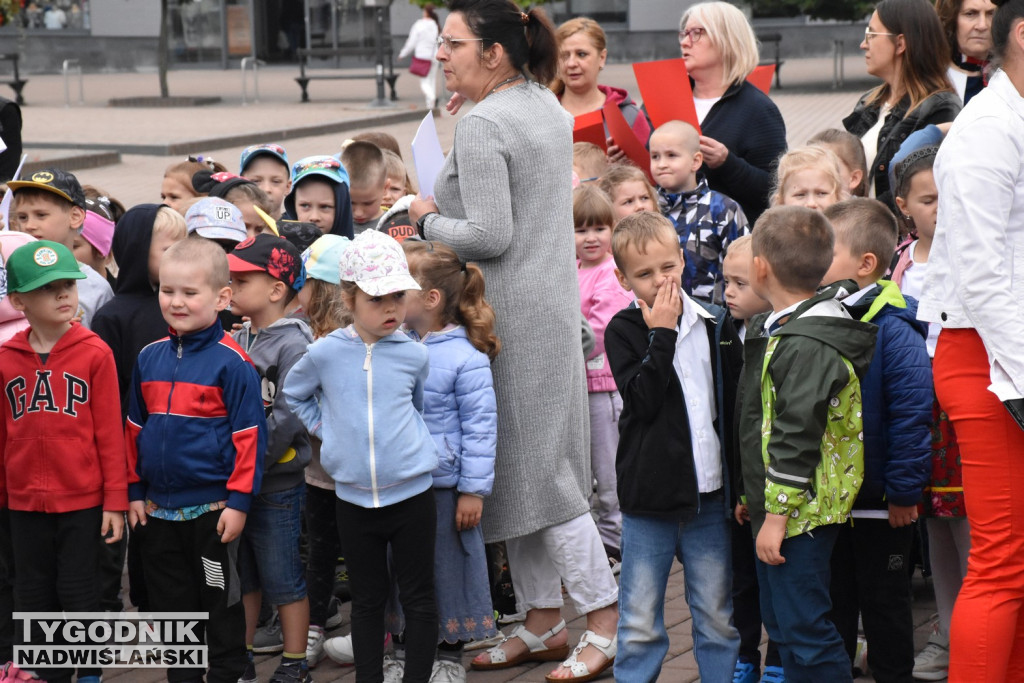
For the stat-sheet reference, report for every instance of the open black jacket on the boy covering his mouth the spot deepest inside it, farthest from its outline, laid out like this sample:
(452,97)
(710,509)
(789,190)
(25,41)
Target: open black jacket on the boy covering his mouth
(655,462)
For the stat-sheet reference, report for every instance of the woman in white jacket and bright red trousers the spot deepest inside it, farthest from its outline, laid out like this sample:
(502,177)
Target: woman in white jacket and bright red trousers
(975,290)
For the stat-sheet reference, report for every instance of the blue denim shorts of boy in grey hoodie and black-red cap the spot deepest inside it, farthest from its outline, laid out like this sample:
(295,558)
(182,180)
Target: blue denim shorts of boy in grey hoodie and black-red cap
(269,554)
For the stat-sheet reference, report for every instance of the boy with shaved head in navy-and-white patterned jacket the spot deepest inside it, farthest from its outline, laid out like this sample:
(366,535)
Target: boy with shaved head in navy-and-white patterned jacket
(705,221)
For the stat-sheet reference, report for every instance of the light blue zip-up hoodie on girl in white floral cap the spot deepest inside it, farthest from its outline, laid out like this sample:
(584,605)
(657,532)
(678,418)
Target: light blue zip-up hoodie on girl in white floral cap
(365,402)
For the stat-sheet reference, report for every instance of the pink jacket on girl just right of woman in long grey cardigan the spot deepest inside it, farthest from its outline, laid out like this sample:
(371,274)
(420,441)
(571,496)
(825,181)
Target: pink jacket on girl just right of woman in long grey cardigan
(601,298)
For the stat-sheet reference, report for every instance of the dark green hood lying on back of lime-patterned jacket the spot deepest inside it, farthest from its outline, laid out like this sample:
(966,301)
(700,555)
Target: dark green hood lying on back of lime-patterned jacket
(852,339)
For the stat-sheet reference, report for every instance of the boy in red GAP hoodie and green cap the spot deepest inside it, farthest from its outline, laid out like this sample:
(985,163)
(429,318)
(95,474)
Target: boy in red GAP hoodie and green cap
(65,475)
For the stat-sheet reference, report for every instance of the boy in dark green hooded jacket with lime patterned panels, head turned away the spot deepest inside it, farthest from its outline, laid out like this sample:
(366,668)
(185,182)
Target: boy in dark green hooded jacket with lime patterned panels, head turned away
(801,437)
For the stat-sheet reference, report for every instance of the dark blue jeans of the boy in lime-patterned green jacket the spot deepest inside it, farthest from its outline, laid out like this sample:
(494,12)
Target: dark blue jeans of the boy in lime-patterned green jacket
(795,607)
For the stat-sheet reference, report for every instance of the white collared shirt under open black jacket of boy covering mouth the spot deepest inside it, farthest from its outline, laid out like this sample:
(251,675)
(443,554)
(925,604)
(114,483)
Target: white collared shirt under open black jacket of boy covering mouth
(693,366)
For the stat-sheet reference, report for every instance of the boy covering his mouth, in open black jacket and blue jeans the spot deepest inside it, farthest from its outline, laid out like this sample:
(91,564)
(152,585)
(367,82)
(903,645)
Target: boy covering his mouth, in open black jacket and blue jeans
(676,364)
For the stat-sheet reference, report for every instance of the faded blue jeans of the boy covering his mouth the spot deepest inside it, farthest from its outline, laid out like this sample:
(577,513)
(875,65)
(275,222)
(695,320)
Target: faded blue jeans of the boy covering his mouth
(704,547)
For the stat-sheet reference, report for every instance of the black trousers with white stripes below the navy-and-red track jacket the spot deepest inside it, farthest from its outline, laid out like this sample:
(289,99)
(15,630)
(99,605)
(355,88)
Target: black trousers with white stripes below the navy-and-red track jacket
(188,569)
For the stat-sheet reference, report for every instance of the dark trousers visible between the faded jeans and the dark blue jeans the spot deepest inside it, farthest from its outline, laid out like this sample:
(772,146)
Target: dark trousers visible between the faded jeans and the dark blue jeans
(747,600)
